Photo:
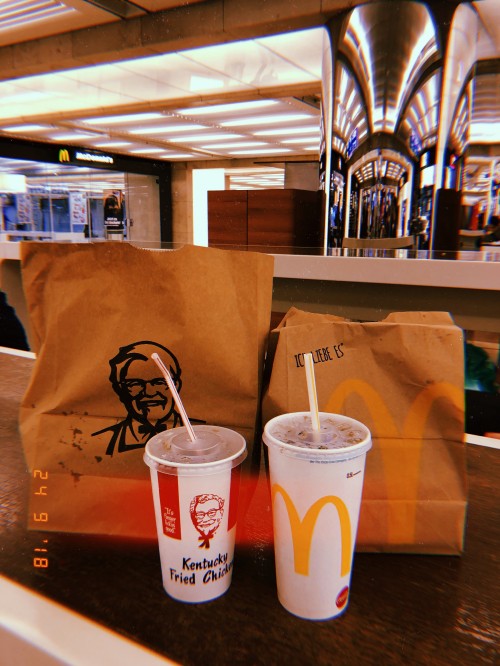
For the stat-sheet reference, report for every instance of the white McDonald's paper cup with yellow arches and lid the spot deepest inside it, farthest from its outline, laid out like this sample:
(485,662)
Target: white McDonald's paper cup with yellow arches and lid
(316,487)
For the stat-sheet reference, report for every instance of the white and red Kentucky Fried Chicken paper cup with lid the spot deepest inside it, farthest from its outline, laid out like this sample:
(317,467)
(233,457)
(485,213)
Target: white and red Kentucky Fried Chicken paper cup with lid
(195,494)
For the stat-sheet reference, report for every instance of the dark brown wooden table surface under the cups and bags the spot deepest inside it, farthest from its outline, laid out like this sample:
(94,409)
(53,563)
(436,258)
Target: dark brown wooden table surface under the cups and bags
(404,609)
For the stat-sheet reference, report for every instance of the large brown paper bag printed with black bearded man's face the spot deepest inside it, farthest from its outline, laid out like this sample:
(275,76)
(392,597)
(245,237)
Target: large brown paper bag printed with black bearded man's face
(98,311)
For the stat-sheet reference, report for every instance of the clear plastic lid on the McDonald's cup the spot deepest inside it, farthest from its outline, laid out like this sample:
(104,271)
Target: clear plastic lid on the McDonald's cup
(340,437)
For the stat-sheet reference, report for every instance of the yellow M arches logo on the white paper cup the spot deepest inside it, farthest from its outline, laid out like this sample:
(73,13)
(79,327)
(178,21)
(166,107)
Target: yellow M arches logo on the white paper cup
(303,530)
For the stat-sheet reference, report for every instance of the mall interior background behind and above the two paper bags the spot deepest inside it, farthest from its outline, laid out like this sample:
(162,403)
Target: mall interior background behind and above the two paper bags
(335,137)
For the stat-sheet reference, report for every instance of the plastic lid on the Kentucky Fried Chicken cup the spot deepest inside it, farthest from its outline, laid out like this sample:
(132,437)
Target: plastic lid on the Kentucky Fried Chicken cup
(214,445)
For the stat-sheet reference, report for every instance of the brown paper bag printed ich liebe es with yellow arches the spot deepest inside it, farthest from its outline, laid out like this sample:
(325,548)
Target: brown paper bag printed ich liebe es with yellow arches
(404,378)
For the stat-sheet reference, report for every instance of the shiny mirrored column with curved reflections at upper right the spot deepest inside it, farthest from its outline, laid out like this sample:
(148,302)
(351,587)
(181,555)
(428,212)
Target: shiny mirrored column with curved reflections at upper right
(414,142)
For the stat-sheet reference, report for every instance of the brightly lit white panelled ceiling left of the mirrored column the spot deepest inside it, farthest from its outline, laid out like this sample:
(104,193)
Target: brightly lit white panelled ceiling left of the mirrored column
(164,107)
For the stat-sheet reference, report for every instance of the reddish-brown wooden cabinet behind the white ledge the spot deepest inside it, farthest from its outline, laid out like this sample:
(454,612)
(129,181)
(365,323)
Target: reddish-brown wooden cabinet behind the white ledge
(281,221)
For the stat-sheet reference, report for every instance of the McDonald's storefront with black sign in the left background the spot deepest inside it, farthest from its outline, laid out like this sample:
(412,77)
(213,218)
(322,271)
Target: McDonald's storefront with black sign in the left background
(52,192)
